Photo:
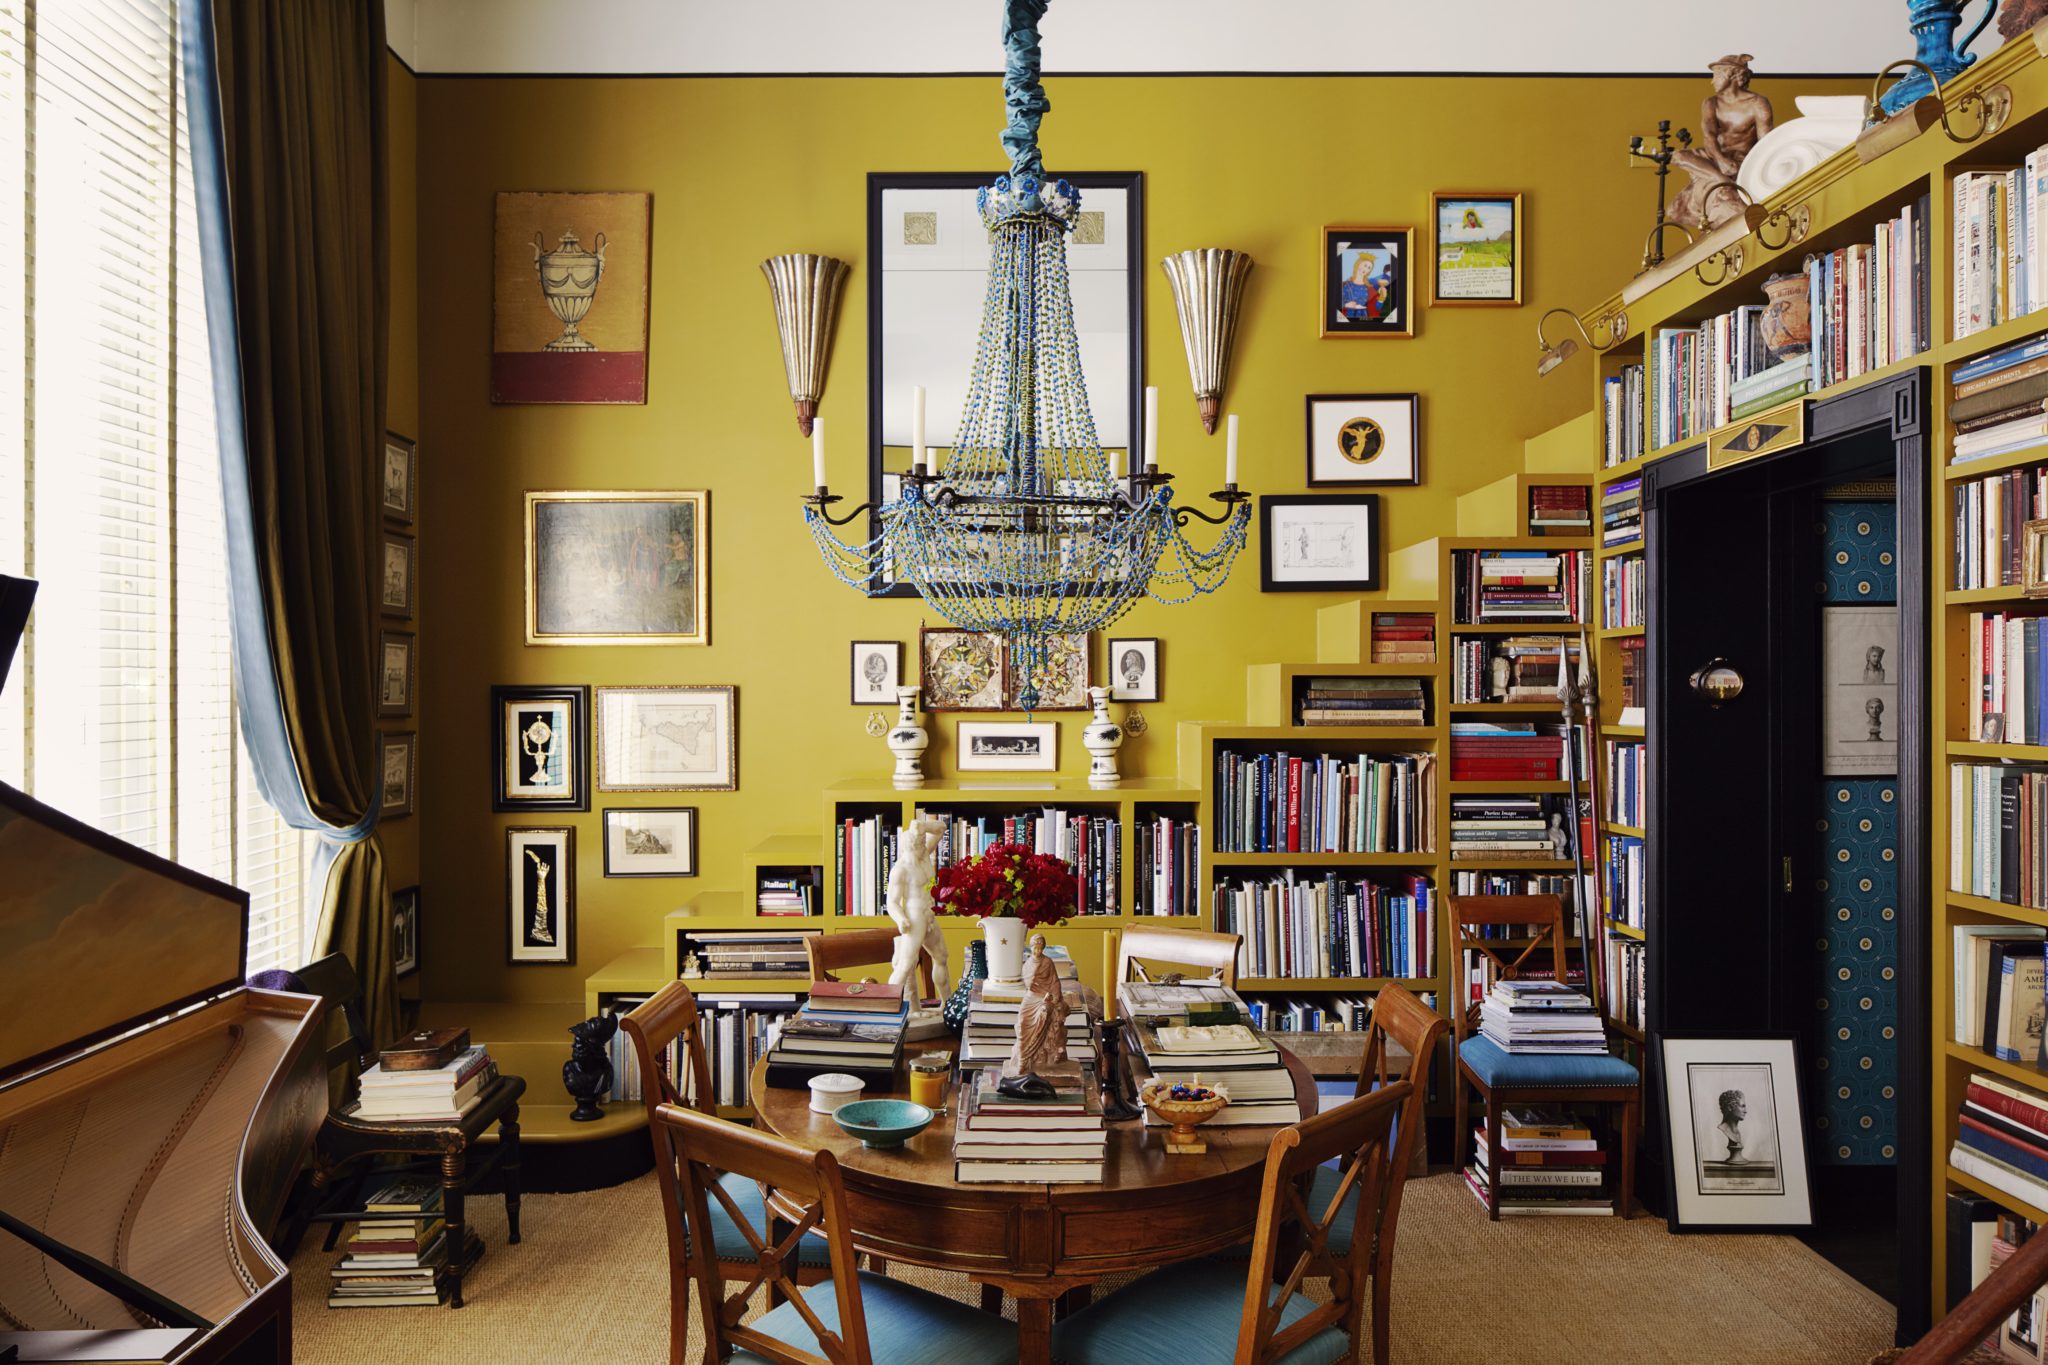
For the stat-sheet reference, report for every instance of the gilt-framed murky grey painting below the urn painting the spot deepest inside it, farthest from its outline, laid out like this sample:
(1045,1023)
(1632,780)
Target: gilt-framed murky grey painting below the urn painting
(617,568)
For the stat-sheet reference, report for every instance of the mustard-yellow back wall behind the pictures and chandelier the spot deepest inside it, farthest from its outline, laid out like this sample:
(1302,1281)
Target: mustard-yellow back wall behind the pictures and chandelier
(749,169)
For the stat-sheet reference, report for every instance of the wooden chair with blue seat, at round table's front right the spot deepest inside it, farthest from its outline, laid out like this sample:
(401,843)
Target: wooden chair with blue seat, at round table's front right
(1218,1313)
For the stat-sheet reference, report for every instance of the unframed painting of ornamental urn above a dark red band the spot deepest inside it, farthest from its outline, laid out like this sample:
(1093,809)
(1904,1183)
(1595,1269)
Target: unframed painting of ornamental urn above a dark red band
(570,298)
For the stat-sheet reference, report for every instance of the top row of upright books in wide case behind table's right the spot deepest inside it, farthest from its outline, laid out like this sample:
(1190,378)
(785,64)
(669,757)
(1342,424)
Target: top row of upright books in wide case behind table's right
(1291,803)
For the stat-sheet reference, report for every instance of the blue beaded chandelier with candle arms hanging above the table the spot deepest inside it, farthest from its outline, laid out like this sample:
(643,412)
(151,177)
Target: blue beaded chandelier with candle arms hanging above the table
(1029,531)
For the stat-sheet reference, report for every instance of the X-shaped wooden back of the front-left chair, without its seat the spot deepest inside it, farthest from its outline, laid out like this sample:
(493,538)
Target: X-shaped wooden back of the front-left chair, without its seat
(703,1151)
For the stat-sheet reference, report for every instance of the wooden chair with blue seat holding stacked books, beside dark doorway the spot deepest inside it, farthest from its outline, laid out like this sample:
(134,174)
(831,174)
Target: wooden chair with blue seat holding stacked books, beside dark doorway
(1502,1077)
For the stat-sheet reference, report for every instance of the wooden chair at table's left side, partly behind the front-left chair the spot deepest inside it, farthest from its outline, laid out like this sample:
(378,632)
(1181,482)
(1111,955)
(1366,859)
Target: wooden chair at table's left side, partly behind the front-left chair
(671,1018)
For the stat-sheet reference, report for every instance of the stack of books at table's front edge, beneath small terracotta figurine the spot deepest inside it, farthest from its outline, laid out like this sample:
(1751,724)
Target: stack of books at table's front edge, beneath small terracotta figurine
(1058,1141)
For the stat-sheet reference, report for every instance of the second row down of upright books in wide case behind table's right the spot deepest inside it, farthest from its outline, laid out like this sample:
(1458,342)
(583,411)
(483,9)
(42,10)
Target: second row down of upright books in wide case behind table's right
(1330,926)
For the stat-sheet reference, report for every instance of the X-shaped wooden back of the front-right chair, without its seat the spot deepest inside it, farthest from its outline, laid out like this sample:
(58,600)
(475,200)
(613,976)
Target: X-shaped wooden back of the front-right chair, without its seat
(1355,1133)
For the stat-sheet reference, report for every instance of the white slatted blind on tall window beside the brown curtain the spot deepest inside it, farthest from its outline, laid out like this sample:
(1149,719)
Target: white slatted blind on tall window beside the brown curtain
(122,709)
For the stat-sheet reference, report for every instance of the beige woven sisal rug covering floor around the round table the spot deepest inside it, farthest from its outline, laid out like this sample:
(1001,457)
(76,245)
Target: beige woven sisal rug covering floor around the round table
(589,1284)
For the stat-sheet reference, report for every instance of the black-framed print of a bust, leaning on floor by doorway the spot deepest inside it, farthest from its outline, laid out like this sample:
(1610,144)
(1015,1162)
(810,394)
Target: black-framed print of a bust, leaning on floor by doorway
(1738,1153)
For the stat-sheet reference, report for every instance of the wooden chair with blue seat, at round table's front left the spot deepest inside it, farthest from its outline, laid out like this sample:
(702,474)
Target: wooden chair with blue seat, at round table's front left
(851,1319)
